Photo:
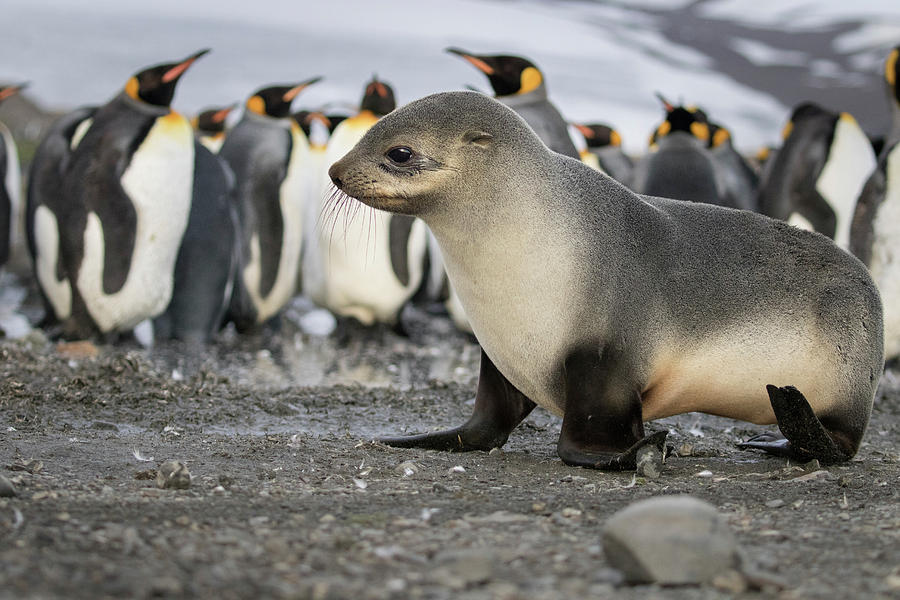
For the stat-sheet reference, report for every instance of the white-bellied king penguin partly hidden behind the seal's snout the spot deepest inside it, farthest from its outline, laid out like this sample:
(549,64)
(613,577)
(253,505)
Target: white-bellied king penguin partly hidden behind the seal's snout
(360,262)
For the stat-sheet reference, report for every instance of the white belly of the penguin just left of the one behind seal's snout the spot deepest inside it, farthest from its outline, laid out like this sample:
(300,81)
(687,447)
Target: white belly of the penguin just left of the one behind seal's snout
(290,202)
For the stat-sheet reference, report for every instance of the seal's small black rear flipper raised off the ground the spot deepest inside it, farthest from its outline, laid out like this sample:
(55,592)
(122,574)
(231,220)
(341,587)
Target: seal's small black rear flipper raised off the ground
(804,436)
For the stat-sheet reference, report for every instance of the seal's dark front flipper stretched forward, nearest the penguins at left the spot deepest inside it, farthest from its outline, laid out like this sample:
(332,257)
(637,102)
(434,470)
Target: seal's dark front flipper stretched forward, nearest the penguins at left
(499,408)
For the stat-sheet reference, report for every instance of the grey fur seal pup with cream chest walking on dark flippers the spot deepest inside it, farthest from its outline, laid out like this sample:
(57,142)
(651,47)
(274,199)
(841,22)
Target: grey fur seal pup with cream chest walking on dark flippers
(611,308)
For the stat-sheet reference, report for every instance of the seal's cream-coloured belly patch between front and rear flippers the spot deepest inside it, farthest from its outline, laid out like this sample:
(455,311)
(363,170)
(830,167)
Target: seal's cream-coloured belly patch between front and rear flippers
(727,375)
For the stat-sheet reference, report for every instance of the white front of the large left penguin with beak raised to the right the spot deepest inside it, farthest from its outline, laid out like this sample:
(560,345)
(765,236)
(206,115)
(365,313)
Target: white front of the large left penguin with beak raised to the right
(159,182)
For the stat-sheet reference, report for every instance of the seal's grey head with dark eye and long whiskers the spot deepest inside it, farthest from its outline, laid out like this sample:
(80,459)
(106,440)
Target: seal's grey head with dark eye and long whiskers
(437,150)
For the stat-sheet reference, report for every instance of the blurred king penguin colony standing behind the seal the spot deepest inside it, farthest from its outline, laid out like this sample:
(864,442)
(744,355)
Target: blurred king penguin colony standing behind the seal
(135,213)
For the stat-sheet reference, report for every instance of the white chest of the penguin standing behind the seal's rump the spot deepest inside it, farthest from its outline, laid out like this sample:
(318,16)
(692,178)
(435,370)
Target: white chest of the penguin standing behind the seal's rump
(850,162)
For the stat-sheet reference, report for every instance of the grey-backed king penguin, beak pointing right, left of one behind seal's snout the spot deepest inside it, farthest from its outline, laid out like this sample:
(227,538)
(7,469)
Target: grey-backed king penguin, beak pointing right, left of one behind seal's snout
(268,153)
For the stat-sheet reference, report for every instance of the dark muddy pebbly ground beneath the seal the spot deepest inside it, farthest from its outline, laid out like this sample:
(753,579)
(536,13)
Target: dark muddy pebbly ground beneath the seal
(290,498)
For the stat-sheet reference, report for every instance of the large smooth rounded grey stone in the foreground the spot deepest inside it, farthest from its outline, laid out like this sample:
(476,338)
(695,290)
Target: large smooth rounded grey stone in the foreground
(670,540)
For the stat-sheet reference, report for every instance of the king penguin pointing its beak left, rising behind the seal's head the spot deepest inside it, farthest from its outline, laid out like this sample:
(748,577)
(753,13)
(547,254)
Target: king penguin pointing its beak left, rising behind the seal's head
(520,85)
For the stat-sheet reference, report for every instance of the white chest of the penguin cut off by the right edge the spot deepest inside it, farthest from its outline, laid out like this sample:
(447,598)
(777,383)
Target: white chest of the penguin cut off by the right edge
(885,262)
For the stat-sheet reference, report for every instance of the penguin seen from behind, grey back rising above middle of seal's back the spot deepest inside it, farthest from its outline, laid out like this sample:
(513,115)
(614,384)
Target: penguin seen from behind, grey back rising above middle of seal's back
(679,164)
